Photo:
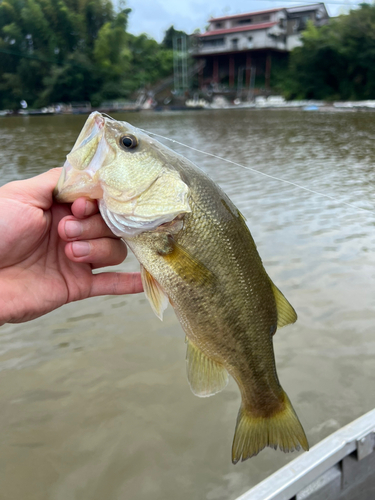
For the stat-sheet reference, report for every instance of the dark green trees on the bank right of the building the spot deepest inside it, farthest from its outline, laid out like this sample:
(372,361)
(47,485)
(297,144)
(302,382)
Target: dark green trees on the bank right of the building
(336,61)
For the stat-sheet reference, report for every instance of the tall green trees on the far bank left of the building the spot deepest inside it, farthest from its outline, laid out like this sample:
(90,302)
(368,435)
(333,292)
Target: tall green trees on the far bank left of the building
(73,50)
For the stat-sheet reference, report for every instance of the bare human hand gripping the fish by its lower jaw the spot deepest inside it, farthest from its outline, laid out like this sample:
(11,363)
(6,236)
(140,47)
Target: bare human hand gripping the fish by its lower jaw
(49,250)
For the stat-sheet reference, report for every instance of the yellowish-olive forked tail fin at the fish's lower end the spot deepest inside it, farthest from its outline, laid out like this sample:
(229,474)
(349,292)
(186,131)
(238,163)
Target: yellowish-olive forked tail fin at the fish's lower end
(282,430)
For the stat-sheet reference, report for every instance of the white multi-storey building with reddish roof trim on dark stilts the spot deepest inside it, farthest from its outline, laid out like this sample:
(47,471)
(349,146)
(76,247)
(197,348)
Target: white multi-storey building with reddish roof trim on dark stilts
(240,49)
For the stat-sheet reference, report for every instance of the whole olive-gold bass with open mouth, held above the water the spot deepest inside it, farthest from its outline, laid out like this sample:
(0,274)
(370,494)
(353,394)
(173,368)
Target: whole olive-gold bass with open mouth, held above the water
(196,253)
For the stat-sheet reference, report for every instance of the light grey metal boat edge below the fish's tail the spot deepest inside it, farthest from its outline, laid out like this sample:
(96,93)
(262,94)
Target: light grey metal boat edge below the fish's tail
(340,467)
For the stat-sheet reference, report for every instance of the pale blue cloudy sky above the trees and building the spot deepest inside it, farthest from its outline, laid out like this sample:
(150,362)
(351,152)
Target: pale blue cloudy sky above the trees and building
(153,17)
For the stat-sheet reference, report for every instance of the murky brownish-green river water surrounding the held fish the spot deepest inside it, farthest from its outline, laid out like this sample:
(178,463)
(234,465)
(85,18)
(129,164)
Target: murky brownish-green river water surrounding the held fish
(94,402)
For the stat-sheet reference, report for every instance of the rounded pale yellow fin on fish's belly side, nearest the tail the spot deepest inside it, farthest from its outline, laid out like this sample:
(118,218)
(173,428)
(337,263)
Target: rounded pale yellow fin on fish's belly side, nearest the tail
(205,376)
